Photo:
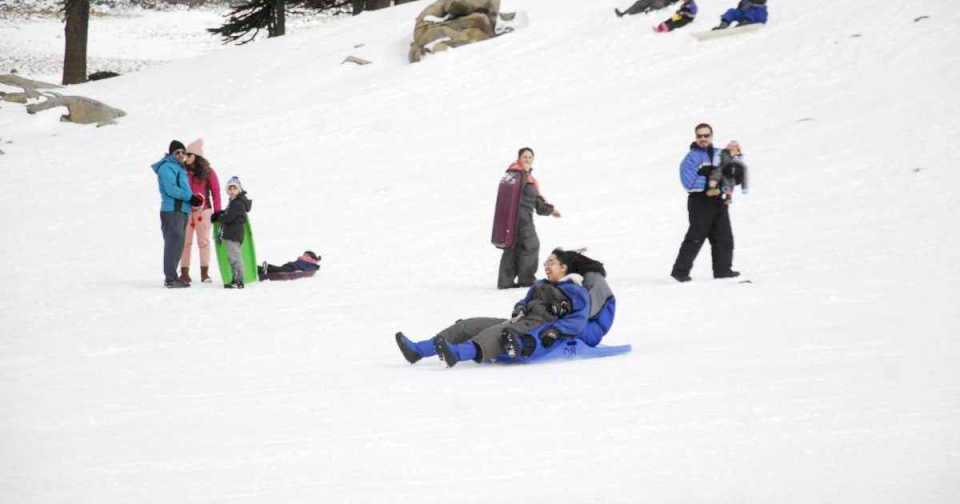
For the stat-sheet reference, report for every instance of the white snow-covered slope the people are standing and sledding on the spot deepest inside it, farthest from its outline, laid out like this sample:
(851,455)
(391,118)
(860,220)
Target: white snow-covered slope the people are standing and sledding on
(832,377)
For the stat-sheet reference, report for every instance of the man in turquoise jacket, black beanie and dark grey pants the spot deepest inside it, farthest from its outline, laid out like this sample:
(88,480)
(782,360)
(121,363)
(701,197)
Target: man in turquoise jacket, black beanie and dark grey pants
(176,198)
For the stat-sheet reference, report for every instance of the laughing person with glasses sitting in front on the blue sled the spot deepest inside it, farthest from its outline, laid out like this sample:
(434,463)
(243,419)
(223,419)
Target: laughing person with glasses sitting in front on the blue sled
(555,308)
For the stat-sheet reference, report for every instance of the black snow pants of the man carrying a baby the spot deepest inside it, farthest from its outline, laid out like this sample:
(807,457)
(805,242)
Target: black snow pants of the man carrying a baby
(709,220)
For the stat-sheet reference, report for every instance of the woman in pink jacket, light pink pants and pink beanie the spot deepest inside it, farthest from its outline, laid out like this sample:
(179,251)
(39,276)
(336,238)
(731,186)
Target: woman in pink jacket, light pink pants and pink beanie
(204,182)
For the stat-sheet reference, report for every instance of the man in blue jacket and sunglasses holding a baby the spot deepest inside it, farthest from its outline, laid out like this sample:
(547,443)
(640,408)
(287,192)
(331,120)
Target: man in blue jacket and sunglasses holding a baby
(706,208)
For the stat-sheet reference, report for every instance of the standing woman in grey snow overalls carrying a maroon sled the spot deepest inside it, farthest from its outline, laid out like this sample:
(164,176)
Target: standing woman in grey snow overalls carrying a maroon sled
(518,264)
